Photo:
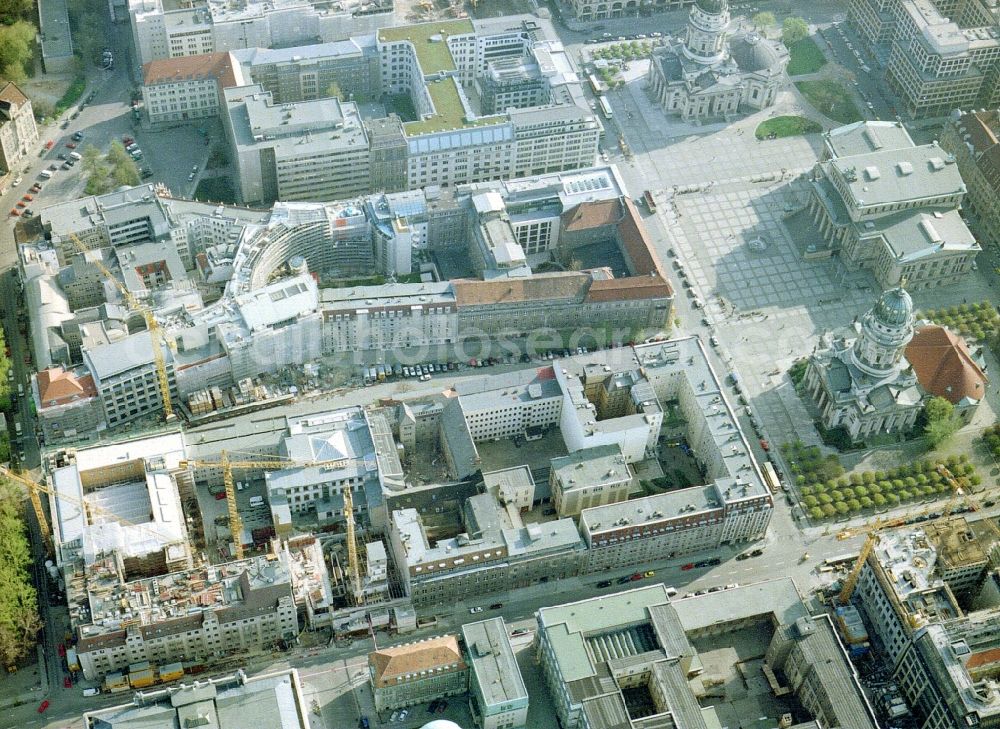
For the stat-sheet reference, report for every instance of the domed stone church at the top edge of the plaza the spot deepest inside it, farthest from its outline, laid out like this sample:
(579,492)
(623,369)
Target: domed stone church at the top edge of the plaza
(710,74)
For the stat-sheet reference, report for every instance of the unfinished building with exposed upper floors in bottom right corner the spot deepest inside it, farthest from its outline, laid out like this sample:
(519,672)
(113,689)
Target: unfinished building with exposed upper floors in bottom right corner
(943,659)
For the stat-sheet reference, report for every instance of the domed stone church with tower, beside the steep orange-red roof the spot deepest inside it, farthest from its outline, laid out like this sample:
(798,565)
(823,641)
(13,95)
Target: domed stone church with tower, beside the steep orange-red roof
(866,385)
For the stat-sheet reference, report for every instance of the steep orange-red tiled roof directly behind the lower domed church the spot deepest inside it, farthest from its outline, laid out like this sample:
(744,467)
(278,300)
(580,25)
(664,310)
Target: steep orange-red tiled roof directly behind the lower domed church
(944,366)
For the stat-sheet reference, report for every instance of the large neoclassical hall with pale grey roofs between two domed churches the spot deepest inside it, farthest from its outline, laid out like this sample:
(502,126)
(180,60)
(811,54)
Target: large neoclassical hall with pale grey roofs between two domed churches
(892,210)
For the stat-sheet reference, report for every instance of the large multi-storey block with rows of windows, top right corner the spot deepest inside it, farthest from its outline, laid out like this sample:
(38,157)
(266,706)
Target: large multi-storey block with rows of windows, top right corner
(938,55)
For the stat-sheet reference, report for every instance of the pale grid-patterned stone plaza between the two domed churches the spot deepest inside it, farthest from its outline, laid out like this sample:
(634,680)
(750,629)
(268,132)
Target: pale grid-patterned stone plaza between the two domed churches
(717,188)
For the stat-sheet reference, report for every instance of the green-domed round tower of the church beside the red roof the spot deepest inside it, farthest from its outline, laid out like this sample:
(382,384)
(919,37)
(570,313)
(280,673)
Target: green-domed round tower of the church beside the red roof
(886,329)
